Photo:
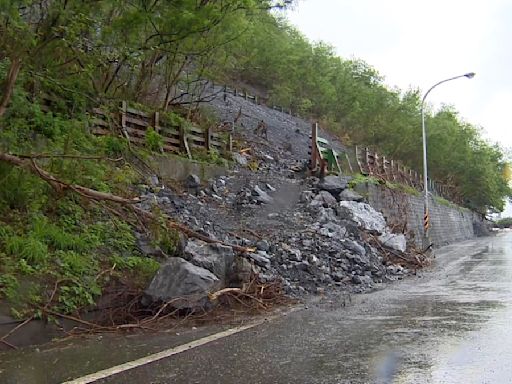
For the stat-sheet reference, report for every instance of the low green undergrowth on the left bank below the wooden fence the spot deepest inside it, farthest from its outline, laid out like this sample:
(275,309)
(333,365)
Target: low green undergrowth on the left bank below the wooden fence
(60,251)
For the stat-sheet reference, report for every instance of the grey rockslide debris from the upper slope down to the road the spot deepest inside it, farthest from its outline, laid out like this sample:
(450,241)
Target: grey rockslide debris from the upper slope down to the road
(316,236)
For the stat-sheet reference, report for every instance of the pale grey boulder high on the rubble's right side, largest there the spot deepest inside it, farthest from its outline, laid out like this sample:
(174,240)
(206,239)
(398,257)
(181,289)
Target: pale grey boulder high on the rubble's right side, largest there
(364,215)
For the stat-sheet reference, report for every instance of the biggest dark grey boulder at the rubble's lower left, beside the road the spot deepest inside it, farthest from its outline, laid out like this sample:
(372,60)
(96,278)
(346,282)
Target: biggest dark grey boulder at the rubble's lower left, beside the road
(185,283)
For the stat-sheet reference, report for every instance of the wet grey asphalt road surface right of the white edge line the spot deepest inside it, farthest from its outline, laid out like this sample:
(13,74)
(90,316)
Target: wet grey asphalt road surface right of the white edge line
(452,324)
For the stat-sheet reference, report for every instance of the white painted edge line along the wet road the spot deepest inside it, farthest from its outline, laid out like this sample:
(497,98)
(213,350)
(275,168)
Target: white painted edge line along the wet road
(167,353)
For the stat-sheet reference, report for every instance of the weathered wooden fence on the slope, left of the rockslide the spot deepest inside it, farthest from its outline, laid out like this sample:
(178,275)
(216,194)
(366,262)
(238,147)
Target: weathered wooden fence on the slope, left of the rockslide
(133,124)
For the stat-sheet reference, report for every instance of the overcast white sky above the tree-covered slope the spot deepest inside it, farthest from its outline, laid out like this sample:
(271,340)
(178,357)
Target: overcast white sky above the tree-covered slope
(418,43)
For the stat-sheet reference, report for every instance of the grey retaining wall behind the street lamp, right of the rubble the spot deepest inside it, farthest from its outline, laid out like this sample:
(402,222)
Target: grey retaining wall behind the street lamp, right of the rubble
(449,223)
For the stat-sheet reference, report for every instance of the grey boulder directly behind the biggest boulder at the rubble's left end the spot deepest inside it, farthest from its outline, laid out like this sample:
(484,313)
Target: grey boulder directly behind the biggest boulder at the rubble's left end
(216,258)
